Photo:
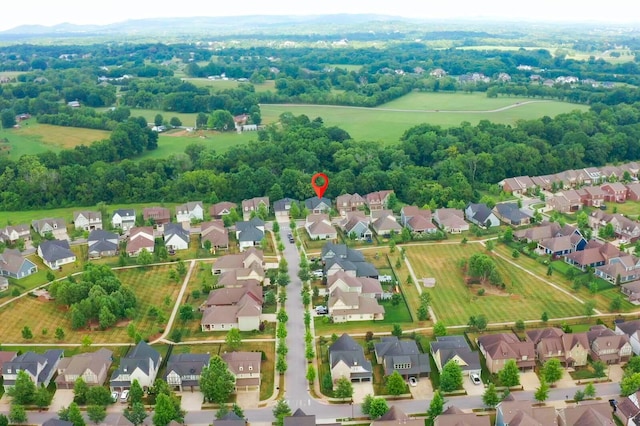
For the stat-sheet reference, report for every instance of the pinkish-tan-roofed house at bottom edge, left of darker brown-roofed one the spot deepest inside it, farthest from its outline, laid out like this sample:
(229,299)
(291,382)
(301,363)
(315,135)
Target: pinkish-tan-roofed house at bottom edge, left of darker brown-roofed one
(512,413)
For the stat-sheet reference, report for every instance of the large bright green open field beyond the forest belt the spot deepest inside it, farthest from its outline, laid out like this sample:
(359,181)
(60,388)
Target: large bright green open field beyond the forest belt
(379,124)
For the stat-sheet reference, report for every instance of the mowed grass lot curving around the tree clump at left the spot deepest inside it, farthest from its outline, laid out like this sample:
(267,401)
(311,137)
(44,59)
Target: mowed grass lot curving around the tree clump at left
(151,286)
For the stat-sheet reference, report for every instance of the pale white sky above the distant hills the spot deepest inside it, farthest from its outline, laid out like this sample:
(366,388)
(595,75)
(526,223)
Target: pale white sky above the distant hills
(48,12)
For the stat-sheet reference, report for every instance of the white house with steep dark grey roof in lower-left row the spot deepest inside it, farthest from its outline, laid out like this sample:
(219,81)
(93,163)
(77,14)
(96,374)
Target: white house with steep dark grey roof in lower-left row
(141,363)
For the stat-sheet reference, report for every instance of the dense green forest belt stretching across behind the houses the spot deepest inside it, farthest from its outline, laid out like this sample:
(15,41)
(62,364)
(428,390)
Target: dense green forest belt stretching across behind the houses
(430,164)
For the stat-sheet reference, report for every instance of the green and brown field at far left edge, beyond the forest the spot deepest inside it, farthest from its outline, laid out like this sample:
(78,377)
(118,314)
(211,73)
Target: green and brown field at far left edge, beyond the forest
(33,138)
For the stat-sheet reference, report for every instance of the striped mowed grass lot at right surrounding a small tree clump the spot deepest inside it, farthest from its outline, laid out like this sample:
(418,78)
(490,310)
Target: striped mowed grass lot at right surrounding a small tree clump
(453,303)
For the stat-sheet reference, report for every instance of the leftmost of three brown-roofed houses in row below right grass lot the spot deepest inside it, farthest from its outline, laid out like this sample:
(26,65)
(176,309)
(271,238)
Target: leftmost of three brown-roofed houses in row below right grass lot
(500,348)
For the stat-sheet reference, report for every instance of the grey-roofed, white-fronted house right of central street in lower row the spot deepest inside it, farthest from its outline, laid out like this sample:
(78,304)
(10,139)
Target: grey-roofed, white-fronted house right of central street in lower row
(346,359)
